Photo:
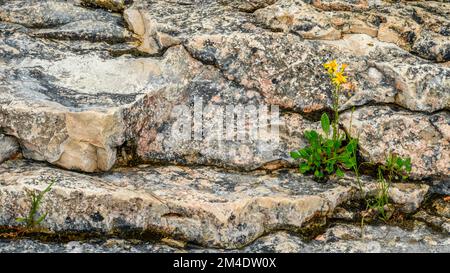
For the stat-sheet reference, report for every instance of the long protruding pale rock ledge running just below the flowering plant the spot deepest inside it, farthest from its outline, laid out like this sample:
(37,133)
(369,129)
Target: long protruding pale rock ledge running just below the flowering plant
(198,205)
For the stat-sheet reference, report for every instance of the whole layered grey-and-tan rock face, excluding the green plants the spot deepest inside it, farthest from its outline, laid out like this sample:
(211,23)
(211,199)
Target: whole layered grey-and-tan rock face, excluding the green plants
(95,85)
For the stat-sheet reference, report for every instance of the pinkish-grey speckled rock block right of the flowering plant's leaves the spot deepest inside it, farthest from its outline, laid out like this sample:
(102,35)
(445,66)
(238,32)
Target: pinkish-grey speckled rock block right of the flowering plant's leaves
(423,138)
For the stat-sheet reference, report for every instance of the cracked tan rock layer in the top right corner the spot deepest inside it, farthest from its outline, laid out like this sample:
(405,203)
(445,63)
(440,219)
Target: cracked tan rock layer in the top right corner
(417,27)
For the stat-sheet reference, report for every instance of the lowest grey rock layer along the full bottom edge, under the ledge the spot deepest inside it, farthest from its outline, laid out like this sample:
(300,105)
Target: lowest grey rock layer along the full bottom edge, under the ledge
(341,238)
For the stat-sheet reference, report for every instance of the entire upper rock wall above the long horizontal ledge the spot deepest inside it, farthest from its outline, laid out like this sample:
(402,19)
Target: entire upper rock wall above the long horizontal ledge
(118,69)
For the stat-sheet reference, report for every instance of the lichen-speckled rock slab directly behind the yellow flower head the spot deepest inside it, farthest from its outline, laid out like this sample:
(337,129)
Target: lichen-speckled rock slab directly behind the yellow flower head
(290,73)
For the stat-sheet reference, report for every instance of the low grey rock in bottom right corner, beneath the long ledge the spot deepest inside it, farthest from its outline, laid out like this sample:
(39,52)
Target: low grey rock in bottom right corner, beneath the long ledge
(350,238)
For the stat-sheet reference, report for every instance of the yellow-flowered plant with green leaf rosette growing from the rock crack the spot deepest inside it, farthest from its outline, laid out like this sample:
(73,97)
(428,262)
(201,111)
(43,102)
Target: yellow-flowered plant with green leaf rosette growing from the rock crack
(333,152)
